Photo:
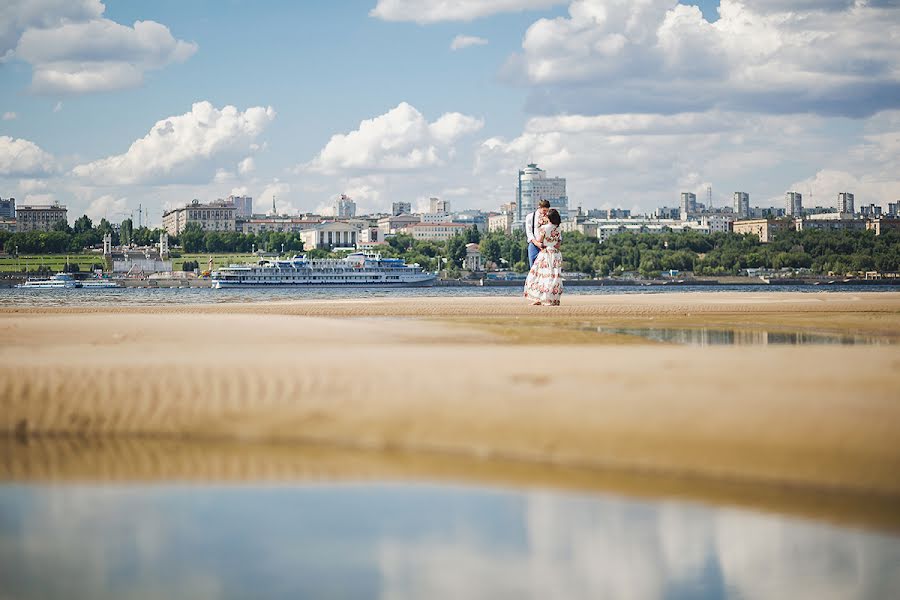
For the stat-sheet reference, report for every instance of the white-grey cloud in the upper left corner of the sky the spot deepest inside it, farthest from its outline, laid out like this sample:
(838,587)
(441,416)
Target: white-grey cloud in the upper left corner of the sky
(73,50)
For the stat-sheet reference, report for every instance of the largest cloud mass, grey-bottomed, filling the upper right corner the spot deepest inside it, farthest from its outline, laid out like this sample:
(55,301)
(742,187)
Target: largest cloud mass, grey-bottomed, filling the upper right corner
(612,56)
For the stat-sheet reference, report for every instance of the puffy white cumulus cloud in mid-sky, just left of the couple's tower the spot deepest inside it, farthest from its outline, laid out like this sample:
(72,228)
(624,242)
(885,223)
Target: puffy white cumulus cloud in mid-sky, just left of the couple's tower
(399,139)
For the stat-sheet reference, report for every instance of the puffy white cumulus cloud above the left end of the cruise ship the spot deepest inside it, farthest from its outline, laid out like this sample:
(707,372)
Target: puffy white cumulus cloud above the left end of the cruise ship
(182,148)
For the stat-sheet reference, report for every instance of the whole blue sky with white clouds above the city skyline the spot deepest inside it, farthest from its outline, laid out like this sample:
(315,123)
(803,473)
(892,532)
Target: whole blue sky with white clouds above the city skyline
(110,106)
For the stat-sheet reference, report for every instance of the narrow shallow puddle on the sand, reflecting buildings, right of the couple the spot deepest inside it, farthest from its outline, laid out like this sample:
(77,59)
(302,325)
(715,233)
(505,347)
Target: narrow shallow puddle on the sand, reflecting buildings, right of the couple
(744,337)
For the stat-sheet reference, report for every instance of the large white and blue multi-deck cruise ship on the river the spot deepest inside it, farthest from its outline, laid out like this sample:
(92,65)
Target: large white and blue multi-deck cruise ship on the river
(356,270)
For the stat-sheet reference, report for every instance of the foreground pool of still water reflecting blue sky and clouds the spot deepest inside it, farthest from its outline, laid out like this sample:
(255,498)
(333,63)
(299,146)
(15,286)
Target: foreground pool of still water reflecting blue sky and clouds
(417,542)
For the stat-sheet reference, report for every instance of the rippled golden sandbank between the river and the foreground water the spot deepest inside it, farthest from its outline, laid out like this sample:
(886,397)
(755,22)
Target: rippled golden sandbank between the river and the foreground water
(485,379)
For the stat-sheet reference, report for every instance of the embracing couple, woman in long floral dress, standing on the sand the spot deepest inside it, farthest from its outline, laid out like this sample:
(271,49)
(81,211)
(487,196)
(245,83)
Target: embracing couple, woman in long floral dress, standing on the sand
(544,283)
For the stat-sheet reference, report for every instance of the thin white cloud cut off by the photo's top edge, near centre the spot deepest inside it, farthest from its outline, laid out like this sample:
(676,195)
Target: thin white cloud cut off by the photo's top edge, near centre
(434,11)
